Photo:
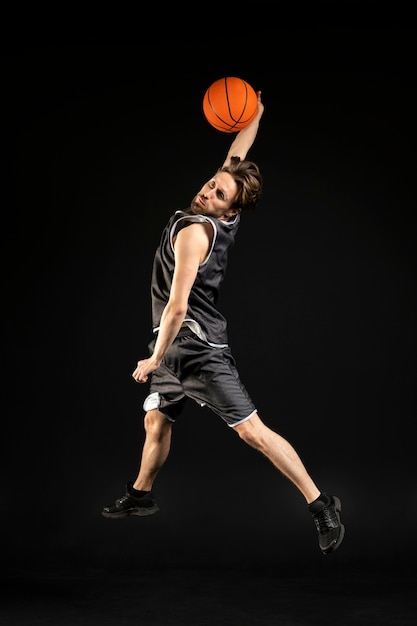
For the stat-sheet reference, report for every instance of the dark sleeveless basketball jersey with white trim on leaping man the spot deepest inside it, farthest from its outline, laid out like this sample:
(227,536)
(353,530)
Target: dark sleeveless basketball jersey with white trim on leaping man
(202,317)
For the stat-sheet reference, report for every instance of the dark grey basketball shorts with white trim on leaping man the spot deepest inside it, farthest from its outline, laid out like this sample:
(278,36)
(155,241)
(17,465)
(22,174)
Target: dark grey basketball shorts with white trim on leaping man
(191,369)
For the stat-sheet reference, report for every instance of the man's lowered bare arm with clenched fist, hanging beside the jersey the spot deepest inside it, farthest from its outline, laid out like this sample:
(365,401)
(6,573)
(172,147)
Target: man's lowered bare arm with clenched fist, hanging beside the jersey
(191,248)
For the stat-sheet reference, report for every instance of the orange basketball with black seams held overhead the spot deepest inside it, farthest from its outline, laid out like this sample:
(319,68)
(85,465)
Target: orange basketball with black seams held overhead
(230,104)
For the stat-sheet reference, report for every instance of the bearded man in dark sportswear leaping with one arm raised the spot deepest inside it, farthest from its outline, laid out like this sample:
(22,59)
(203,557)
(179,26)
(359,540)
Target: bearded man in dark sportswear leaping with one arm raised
(190,357)
